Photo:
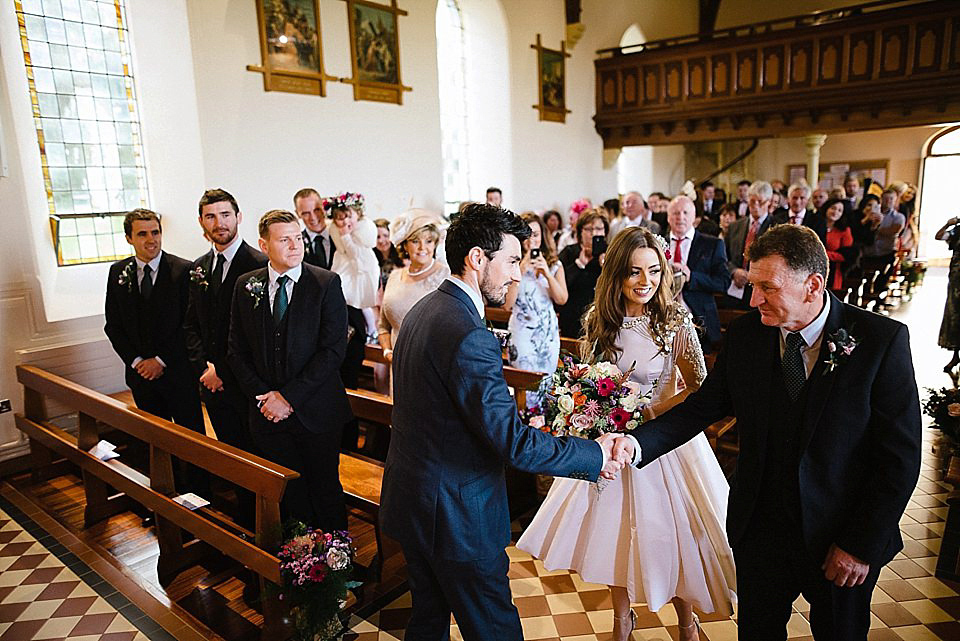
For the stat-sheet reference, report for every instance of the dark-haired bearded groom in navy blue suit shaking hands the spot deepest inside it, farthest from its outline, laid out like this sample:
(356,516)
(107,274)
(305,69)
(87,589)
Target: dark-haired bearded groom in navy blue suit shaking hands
(455,426)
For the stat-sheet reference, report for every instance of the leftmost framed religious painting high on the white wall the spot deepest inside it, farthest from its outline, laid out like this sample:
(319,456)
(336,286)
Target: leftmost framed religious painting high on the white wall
(291,48)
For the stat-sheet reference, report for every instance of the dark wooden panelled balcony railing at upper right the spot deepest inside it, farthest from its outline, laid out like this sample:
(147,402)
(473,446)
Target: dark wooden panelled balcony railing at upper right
(871,66)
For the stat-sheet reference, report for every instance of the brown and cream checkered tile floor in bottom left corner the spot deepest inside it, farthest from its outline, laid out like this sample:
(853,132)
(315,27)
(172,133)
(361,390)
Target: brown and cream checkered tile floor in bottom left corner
(41,598)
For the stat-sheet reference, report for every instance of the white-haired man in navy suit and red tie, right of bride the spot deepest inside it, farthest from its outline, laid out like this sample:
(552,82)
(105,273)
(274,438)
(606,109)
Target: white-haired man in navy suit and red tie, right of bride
(702,261)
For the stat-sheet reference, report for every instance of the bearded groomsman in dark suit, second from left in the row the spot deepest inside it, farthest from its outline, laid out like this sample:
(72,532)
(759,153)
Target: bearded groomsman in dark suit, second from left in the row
(213,277)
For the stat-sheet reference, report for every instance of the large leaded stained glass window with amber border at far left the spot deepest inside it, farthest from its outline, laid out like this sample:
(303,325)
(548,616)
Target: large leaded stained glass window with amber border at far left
(81,86)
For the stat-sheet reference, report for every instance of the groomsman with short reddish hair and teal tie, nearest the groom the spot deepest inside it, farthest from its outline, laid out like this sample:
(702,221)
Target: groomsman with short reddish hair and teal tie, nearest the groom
(288,333)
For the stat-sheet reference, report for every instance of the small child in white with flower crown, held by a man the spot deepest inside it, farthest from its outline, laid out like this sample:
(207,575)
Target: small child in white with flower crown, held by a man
(354,236)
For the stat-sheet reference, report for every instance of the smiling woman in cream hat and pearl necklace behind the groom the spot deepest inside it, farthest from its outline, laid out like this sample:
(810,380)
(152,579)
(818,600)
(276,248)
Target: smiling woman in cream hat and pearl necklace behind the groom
(416,233)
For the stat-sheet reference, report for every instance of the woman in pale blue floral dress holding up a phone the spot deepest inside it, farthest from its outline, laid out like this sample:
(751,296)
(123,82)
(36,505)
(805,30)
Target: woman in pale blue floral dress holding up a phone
(533,325)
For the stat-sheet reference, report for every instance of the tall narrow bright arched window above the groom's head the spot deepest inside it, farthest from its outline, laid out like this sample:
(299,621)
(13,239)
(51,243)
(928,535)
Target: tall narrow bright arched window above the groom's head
(451,66)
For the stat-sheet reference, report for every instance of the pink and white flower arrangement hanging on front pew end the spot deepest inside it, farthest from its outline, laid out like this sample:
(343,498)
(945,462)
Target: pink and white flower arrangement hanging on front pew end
(316,568)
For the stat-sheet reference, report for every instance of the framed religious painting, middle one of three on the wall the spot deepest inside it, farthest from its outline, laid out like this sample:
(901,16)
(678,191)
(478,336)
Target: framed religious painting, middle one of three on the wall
(375,51)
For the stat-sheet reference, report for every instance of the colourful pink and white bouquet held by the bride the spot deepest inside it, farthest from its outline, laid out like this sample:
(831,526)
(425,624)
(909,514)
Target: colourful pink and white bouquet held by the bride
(587,400)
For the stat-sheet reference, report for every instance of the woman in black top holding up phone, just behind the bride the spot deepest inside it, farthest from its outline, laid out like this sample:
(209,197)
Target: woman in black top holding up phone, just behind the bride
(581,269)
